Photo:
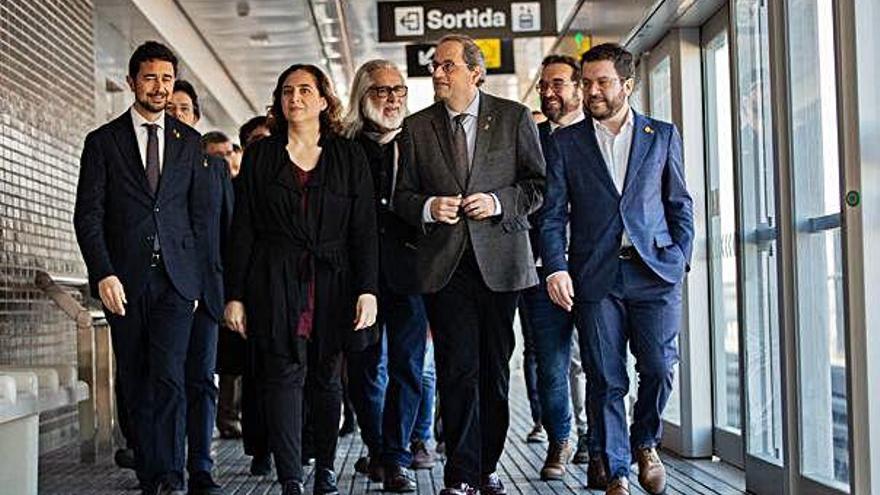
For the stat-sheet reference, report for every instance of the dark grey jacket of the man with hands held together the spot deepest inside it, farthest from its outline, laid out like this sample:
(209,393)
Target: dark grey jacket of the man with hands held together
(507,162)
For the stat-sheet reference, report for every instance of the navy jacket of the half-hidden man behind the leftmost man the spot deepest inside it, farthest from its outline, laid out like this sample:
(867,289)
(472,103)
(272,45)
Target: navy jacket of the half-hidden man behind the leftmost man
(215,183)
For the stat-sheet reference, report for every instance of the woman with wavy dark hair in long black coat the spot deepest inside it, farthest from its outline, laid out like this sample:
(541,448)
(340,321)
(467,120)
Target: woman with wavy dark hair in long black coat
(303,267)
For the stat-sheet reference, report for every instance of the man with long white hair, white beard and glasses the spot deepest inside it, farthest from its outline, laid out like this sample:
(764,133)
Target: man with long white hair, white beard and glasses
(376,111)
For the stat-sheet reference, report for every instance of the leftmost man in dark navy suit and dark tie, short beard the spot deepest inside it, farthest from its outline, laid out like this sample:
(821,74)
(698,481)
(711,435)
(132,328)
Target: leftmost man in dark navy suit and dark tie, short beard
(138,220)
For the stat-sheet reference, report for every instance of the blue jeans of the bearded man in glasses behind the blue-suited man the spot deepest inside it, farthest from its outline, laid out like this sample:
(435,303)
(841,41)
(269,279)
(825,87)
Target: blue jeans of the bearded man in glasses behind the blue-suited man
(552,329)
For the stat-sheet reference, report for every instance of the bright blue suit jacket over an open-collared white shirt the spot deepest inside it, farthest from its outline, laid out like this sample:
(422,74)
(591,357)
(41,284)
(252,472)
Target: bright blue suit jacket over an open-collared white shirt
(654,208)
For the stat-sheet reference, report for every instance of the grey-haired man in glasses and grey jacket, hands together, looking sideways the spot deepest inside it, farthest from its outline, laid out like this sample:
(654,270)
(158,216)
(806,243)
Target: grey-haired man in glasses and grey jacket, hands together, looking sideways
(472,174)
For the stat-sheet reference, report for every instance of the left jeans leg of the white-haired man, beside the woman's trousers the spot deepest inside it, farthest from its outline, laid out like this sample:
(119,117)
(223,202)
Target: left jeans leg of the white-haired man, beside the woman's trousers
(367,380)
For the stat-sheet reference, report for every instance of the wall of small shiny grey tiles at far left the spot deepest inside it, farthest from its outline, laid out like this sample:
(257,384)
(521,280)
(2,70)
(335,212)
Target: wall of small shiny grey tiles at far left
(47,102)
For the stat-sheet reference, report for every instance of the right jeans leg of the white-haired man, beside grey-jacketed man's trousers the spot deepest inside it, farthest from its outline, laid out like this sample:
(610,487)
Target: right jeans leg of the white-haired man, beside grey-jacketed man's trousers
(406,326)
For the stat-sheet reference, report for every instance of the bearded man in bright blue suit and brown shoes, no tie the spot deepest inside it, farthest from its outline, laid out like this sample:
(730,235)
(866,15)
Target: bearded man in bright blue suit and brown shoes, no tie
(617,179)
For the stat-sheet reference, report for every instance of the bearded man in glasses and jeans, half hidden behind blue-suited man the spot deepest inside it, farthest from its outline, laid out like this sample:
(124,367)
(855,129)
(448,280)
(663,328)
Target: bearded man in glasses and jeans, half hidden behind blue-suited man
(549,327)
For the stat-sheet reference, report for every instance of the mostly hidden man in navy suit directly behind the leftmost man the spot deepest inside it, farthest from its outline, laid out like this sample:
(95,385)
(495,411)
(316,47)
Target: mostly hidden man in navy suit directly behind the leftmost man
(213,180)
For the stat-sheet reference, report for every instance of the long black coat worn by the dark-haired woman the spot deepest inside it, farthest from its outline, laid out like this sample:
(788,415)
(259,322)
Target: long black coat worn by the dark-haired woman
(274,249)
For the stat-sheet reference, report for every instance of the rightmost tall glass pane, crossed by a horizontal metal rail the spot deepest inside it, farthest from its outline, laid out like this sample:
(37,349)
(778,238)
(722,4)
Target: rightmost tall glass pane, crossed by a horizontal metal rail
(820,301)
